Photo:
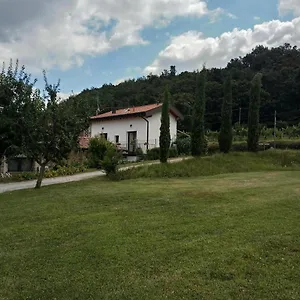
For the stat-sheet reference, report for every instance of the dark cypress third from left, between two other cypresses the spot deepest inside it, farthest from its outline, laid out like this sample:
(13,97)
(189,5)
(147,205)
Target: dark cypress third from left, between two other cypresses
(225,136)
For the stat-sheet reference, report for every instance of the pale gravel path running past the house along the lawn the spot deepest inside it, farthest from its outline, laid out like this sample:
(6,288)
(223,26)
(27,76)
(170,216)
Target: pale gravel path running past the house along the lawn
(13,186)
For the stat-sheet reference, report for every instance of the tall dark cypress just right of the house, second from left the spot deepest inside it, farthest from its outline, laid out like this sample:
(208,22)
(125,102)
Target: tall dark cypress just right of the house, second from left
(198,139)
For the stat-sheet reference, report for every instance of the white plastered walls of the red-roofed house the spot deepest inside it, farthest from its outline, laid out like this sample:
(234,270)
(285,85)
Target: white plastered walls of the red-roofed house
(120,127)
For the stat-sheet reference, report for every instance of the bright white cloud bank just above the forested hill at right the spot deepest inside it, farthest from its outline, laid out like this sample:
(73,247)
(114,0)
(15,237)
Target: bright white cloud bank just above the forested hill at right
(189,51)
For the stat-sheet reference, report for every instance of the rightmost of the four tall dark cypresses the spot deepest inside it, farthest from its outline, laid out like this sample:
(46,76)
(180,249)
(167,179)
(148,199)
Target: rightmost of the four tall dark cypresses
(253,116)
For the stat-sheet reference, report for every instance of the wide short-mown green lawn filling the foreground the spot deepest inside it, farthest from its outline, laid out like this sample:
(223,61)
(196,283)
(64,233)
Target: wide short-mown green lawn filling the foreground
(233,236)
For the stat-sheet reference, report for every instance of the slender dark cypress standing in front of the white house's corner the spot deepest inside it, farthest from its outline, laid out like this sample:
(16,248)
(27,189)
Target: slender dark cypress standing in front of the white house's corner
(165,138)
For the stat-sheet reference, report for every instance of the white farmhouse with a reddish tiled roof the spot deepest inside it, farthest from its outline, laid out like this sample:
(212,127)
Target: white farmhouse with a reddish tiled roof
(134,127)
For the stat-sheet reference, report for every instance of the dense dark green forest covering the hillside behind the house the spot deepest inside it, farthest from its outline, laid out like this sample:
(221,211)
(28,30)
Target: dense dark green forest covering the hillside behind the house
(280,89)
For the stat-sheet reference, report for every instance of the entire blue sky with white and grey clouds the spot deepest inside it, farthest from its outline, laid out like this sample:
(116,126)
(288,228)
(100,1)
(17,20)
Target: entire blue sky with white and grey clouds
(88,43)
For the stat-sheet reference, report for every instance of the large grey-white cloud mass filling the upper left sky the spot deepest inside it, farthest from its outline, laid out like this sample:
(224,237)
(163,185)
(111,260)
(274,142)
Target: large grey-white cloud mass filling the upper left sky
(61,33)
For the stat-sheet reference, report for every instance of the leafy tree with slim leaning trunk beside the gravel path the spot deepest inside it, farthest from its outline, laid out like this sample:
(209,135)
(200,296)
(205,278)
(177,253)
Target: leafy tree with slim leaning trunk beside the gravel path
(50,128)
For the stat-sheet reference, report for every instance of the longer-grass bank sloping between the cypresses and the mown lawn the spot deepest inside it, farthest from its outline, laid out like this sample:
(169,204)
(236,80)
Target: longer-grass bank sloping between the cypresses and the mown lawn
(269,160)
